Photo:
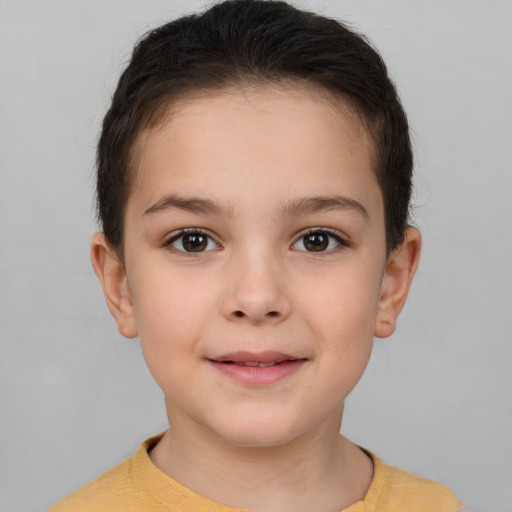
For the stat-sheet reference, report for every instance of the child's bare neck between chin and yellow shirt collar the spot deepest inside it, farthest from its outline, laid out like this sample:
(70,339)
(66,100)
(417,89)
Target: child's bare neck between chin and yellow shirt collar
(320,470)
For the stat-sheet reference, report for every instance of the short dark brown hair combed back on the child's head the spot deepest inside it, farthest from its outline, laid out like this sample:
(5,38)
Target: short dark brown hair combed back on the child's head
(253,41)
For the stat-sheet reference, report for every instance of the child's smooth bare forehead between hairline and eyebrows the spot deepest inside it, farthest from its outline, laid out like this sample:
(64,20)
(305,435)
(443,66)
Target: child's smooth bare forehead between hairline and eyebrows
(275,140)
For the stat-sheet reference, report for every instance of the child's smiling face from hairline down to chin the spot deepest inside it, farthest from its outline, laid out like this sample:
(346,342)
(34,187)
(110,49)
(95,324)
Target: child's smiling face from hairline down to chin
(255,234)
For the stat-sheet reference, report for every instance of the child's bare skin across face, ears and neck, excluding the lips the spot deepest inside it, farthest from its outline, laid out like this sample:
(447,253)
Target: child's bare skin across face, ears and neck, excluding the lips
(258,158)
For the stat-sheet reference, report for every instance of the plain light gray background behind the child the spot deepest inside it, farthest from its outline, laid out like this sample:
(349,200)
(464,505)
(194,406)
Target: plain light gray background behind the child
(76,398)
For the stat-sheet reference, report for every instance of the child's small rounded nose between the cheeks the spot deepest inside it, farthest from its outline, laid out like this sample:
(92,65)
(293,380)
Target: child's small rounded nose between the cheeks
(256,291)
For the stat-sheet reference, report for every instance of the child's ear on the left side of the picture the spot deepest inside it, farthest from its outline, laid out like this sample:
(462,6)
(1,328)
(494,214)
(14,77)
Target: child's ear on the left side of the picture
(112,275)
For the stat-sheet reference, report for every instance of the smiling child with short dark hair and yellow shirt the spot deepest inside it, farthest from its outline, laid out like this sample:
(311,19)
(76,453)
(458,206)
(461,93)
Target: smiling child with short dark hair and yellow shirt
(254,178)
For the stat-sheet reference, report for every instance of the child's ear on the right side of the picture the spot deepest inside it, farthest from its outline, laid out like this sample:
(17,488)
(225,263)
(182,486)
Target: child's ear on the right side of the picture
(401,267)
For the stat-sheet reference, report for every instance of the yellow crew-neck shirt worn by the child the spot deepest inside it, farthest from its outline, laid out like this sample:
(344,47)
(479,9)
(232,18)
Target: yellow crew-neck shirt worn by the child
(137,485)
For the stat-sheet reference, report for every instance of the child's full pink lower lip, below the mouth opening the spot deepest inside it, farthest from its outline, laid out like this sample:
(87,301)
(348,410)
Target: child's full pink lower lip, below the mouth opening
(257,375)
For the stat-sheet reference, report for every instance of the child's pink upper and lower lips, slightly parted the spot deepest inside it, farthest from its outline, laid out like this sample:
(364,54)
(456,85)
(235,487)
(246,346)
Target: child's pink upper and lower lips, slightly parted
(232,365)
